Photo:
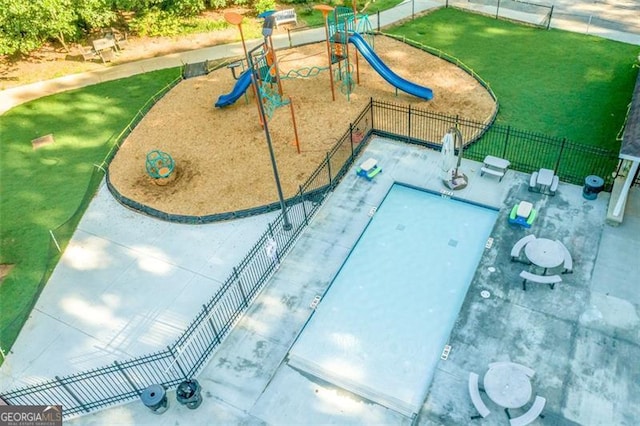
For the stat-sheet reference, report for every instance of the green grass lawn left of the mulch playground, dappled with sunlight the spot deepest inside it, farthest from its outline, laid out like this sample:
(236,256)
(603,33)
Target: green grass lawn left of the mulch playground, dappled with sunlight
(42,188)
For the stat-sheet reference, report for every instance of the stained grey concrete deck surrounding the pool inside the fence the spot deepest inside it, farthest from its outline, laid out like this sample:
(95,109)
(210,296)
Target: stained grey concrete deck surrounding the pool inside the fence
(581,338)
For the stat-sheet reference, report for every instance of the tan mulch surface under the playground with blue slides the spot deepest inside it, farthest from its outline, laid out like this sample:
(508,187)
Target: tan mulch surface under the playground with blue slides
(221,156)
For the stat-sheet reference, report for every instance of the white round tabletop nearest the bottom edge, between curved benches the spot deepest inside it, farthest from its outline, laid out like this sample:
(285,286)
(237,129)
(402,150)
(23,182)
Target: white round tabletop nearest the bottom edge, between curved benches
(507,385)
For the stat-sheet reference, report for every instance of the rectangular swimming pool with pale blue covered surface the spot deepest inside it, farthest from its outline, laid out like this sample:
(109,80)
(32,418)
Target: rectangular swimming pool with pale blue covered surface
(380,329)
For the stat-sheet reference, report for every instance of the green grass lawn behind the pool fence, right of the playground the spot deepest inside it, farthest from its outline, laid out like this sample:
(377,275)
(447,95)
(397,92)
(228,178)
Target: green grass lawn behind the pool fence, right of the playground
(548,81)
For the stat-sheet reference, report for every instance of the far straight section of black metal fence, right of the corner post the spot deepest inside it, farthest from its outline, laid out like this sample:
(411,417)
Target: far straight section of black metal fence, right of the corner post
(527,151)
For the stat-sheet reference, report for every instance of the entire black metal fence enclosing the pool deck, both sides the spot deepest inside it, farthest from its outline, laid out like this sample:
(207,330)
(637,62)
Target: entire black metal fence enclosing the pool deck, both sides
(124,381)
